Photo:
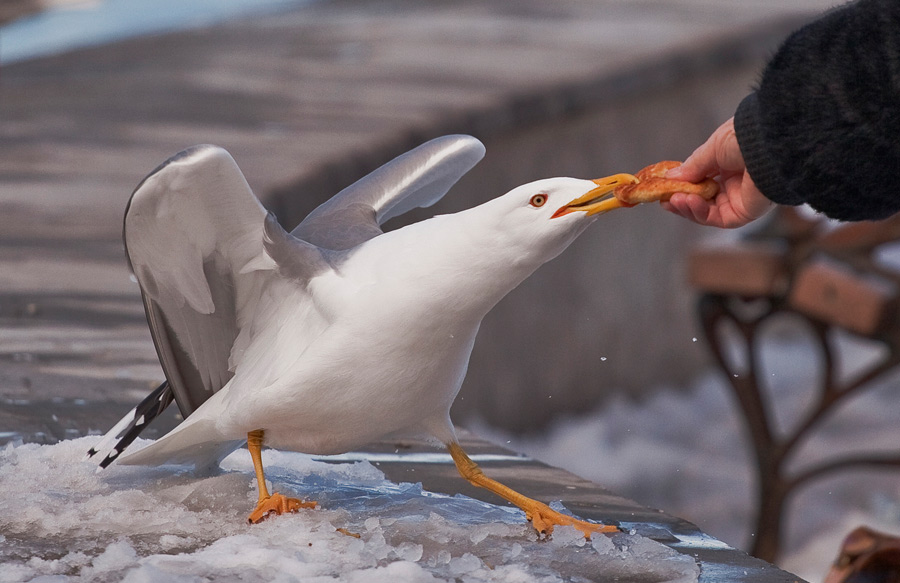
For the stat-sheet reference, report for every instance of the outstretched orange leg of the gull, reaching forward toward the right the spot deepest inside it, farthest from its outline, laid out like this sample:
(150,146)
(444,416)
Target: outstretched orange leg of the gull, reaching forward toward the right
(542,517)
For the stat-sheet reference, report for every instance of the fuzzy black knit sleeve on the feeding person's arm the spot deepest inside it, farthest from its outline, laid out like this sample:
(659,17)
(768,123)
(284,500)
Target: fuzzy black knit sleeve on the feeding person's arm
(823,127)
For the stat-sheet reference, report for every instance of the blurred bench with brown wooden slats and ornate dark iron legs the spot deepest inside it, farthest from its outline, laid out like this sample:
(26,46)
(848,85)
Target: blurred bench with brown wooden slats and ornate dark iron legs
(829,277)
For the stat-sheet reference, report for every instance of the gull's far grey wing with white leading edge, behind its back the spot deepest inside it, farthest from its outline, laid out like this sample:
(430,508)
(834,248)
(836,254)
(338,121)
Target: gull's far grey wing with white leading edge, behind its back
(418,178)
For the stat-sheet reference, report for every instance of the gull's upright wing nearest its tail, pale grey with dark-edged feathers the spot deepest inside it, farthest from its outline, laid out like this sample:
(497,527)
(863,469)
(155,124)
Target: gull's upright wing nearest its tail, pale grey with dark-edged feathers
(194,236)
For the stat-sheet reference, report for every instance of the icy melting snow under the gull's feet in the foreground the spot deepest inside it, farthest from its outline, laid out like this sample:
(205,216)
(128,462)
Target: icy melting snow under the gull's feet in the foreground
(63,521)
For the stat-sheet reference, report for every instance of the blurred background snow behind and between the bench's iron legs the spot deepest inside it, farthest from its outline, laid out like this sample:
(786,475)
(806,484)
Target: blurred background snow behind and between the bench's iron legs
(684,451)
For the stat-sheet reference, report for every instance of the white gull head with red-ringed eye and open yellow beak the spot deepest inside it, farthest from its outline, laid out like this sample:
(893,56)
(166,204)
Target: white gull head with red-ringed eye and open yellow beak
(547,215)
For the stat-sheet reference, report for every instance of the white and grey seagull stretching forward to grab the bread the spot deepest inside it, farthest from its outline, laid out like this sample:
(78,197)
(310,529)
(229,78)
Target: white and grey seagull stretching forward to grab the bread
(337,333)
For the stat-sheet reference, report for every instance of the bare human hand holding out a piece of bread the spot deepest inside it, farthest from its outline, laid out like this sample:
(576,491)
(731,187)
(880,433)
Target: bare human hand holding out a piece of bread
(739,202)
